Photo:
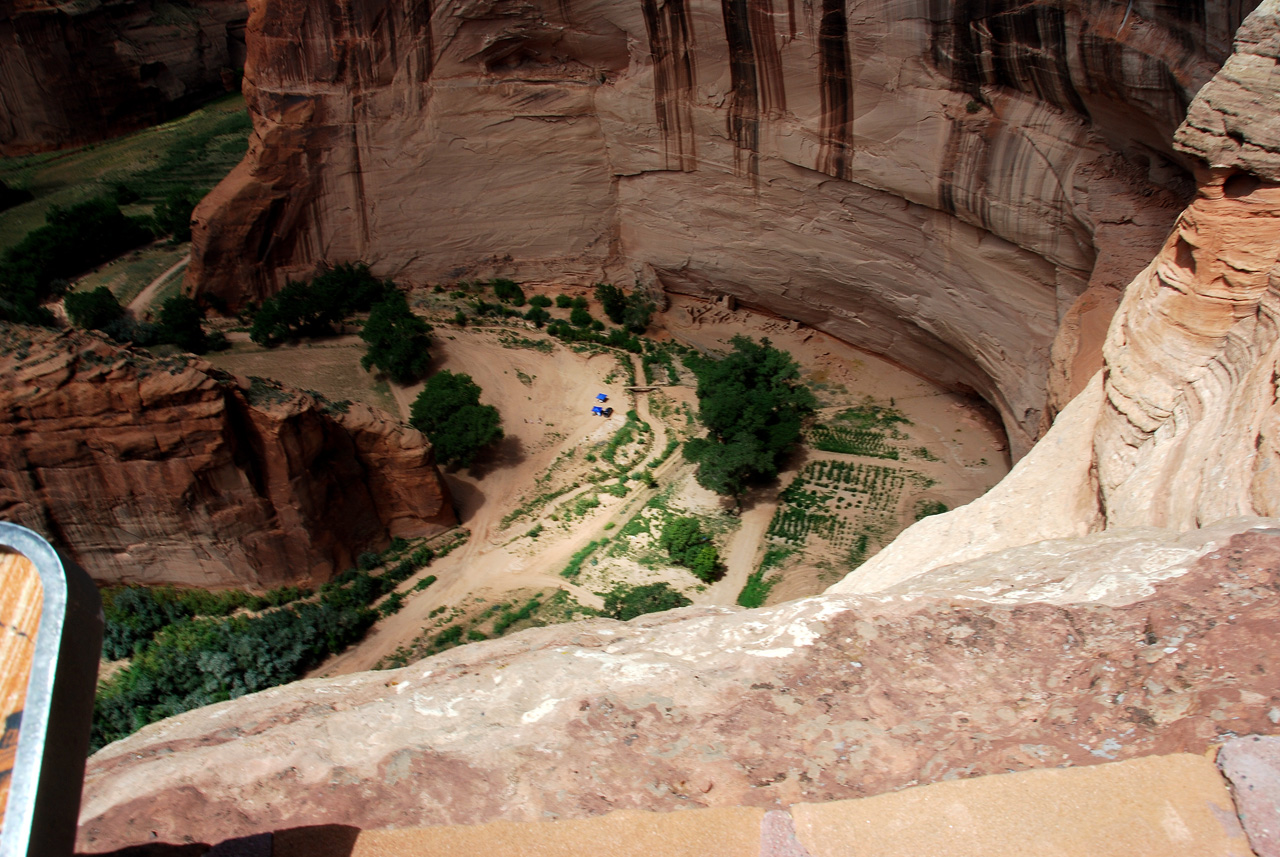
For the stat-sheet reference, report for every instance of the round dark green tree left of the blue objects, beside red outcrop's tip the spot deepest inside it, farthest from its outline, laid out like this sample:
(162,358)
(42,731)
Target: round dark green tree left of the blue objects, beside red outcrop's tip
(450,414)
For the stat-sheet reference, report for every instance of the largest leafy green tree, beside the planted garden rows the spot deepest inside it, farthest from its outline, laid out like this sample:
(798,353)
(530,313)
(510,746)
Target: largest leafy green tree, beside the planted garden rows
(753,407)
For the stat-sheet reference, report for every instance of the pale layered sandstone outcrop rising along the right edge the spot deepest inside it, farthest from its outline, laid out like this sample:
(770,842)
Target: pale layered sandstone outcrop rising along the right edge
(1182,428)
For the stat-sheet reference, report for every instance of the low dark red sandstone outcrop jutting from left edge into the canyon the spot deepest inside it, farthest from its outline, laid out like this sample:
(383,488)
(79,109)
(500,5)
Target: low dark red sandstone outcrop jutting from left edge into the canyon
(168,471)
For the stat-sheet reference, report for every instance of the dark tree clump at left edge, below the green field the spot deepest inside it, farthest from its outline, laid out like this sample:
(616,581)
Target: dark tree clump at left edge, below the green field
(72,241)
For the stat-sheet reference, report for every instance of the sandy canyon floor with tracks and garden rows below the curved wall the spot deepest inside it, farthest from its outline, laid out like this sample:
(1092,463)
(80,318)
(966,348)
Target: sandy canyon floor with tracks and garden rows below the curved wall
(565,488)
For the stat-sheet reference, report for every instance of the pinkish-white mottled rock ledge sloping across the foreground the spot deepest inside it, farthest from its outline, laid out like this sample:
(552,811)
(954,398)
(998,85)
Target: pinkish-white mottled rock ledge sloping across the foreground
(816,700)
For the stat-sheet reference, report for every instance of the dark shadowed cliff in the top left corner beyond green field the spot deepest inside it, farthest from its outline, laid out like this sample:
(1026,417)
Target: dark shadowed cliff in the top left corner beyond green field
(72,74)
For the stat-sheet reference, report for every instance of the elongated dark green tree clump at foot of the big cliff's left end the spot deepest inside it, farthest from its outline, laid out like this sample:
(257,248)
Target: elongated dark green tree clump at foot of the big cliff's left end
(313,309)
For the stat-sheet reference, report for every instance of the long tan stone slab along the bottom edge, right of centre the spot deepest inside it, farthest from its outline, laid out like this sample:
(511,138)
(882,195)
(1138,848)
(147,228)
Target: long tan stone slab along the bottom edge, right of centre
(1158,806)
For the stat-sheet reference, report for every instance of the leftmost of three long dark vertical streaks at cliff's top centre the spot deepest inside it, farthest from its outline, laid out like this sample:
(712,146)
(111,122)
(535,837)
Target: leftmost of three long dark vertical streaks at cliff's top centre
(671,45)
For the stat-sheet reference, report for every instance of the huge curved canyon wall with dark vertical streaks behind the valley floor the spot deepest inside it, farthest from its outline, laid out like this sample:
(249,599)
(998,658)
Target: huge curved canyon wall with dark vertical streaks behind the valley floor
(949,184)
